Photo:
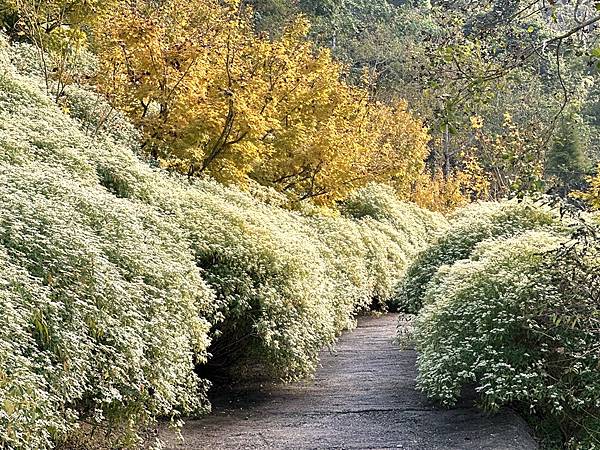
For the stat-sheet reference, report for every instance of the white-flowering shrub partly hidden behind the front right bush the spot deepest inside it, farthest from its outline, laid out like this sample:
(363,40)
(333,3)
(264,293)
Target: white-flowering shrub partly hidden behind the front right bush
(470,225)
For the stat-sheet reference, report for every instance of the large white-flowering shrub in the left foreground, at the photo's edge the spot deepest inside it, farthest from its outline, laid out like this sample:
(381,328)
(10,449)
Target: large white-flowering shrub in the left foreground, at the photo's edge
(103,306)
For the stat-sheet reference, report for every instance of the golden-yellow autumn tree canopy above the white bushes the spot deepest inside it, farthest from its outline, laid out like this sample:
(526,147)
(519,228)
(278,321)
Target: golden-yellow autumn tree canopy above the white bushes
(213,97)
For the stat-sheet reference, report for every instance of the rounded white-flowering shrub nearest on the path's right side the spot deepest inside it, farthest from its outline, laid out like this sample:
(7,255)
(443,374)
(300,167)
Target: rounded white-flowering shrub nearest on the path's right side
(519,321)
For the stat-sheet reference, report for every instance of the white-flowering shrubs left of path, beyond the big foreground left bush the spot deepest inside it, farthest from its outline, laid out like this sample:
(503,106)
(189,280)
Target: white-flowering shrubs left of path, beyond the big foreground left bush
(288,282)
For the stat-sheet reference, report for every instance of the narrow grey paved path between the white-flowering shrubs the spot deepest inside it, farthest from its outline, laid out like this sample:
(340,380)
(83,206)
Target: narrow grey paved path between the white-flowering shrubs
(363,397)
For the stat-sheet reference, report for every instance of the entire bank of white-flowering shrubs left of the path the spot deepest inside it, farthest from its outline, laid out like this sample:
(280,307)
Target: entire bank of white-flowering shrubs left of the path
(117,279)
